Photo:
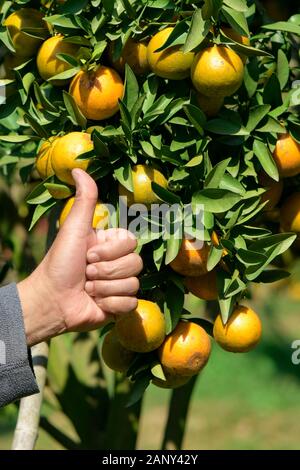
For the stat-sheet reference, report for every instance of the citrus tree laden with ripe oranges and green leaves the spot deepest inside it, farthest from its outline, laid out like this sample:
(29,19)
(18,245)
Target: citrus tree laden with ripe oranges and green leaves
(184,112)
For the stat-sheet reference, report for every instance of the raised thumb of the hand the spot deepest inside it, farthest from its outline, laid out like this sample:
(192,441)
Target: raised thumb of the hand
(81,215)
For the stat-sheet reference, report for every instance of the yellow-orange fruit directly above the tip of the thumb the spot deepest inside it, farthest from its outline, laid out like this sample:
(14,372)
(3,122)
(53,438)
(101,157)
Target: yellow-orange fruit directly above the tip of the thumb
(65,153)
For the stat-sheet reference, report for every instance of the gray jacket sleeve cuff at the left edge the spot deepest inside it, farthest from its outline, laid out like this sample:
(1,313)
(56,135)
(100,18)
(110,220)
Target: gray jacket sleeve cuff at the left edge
(16,374)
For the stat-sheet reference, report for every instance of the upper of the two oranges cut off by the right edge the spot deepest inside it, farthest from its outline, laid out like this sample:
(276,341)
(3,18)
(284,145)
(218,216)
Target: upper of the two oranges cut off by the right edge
(287,156)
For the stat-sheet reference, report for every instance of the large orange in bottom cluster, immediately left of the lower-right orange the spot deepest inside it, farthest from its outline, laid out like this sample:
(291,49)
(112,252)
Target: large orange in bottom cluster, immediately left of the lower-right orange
(186,350)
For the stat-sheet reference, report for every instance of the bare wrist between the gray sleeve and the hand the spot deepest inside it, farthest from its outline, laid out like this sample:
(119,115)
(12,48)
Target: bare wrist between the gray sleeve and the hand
(42,320)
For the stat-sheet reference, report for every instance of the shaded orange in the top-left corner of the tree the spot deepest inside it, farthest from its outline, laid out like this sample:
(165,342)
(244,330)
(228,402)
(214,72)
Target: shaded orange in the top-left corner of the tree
(26,18)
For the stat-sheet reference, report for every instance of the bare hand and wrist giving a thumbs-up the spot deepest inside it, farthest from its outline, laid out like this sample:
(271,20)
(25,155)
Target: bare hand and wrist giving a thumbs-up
(79,288)
